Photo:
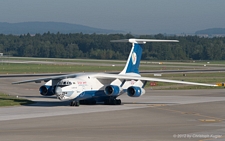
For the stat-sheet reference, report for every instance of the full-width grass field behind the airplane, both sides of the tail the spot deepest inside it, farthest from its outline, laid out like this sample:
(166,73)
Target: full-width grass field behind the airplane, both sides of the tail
(91,65)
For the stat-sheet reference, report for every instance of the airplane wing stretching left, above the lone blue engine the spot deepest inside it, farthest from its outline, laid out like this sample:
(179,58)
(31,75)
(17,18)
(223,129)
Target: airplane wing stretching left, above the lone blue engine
(46,79)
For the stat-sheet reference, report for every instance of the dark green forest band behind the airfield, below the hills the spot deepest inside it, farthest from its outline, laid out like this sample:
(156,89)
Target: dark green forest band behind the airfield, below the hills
(98,46)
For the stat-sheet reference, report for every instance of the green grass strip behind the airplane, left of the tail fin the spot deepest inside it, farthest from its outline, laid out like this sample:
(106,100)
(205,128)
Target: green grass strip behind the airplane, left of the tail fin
(53,68)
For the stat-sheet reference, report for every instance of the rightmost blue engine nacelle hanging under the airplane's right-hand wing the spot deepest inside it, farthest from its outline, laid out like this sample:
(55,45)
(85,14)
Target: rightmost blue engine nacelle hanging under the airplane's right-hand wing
(134,91)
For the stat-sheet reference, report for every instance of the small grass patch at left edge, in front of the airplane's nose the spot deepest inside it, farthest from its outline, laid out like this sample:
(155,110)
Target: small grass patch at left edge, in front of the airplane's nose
(6,100)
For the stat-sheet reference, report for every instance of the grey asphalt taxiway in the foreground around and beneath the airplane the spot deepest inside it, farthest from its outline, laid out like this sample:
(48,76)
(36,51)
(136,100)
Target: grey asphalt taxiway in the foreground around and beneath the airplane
(159,115)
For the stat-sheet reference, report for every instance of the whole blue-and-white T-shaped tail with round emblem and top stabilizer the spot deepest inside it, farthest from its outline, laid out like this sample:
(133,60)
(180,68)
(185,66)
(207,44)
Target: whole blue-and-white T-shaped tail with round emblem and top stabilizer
(133,61)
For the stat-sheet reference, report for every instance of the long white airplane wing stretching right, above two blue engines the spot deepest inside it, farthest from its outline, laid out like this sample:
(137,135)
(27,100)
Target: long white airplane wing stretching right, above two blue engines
(128,77)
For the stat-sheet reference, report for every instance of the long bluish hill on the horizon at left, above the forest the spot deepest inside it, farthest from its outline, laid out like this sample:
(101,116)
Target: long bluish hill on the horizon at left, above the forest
(53,27)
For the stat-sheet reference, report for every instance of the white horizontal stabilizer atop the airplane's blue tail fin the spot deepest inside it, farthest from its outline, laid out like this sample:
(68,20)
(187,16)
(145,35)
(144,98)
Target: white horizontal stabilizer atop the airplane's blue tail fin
(142,41)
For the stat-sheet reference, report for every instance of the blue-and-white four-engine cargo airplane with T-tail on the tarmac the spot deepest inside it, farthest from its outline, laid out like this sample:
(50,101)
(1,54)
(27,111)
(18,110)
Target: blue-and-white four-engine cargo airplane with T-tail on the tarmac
(92,88)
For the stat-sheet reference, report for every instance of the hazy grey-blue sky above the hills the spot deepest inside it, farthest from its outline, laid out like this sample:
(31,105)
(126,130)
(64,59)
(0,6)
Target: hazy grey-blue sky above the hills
(134,16)
